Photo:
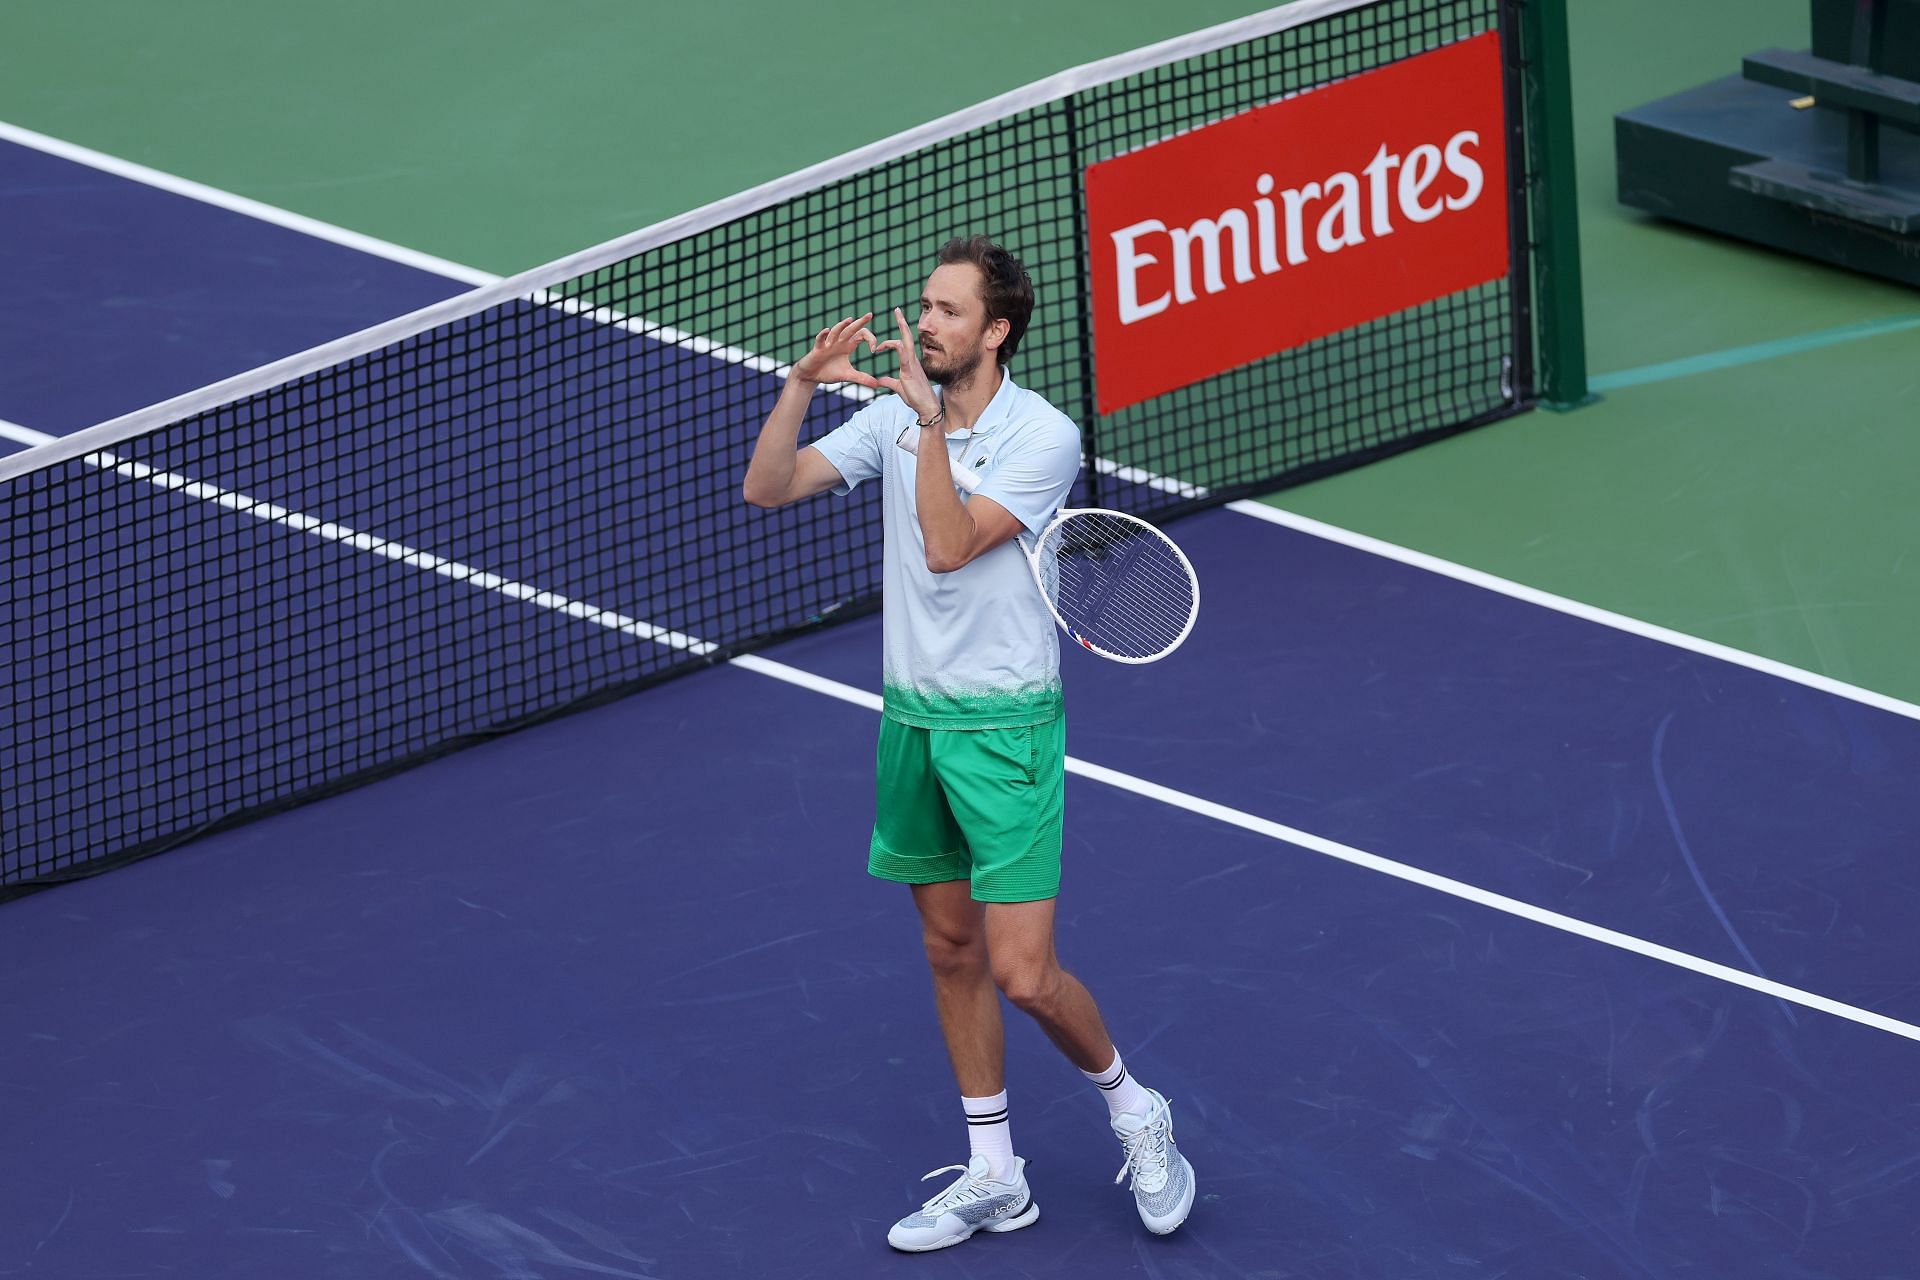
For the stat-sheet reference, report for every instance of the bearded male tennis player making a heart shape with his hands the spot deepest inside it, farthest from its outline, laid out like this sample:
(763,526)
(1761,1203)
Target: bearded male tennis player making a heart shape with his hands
(972,744)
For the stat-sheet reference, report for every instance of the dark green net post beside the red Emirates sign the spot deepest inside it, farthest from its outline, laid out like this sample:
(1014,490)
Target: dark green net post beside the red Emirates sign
(1562,348)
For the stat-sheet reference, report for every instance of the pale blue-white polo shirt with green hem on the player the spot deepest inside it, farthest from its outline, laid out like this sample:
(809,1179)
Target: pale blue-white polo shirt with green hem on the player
(972,650)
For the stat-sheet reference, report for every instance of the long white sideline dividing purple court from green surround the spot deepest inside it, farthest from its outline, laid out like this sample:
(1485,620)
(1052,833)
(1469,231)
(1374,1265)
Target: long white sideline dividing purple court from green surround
(1260,511)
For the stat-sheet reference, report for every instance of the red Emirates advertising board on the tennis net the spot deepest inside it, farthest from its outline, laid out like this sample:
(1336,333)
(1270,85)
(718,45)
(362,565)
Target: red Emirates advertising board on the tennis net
(1297,220)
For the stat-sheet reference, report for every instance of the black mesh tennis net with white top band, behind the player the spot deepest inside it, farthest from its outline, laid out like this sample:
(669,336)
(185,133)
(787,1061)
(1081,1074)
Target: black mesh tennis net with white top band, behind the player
(525,500)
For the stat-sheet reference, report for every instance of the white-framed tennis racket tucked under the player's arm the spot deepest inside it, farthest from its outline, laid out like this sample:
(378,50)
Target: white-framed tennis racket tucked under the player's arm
(1116,586)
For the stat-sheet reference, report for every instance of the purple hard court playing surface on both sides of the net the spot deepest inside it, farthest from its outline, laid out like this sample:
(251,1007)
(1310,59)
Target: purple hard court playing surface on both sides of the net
(1472,936)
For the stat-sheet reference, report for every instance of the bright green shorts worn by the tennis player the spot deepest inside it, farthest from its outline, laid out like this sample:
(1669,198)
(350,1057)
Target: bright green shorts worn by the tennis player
(982,805)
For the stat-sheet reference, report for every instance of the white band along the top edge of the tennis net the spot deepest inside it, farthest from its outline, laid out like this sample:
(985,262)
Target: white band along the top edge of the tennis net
(560,272)
